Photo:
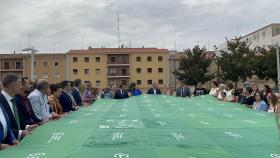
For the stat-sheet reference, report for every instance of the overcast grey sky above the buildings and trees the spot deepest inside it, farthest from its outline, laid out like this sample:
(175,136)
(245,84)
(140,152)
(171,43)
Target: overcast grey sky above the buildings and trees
(60,25)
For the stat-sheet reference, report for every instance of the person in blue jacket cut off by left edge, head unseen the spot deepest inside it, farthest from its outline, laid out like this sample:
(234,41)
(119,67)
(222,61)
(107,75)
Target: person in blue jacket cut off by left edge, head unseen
(7,137)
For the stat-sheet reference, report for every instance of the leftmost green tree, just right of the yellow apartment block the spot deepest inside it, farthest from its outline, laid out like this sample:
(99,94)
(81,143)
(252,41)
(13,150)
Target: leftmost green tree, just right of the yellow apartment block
(194,66)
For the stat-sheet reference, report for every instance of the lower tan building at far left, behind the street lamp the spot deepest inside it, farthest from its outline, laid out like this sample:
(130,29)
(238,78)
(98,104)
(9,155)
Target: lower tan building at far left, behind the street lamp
(48,66)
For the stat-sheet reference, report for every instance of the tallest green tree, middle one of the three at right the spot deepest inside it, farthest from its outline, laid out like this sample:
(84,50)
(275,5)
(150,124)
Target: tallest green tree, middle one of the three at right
(236,63)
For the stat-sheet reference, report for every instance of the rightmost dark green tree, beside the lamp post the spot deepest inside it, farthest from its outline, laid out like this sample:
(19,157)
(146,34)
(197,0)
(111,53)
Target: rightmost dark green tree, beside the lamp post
(265,64)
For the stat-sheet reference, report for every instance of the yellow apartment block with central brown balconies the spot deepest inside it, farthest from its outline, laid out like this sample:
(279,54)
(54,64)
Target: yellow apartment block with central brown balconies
(114,66)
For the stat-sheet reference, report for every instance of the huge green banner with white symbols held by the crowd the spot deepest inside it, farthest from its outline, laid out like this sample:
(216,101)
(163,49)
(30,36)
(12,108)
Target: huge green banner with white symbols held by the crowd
(152,126)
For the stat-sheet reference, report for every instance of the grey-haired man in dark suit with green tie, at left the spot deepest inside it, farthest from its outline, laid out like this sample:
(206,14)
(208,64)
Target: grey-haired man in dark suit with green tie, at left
(11,85)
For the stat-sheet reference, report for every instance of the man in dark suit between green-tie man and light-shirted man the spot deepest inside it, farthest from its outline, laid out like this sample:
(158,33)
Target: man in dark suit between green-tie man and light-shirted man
(27,114)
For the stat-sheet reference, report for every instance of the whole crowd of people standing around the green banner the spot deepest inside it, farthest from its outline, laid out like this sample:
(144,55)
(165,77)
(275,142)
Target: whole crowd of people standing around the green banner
(25,105)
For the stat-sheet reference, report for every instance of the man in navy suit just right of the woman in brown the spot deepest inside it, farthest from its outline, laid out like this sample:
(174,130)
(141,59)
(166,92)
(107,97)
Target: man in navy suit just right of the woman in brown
(64,99)
